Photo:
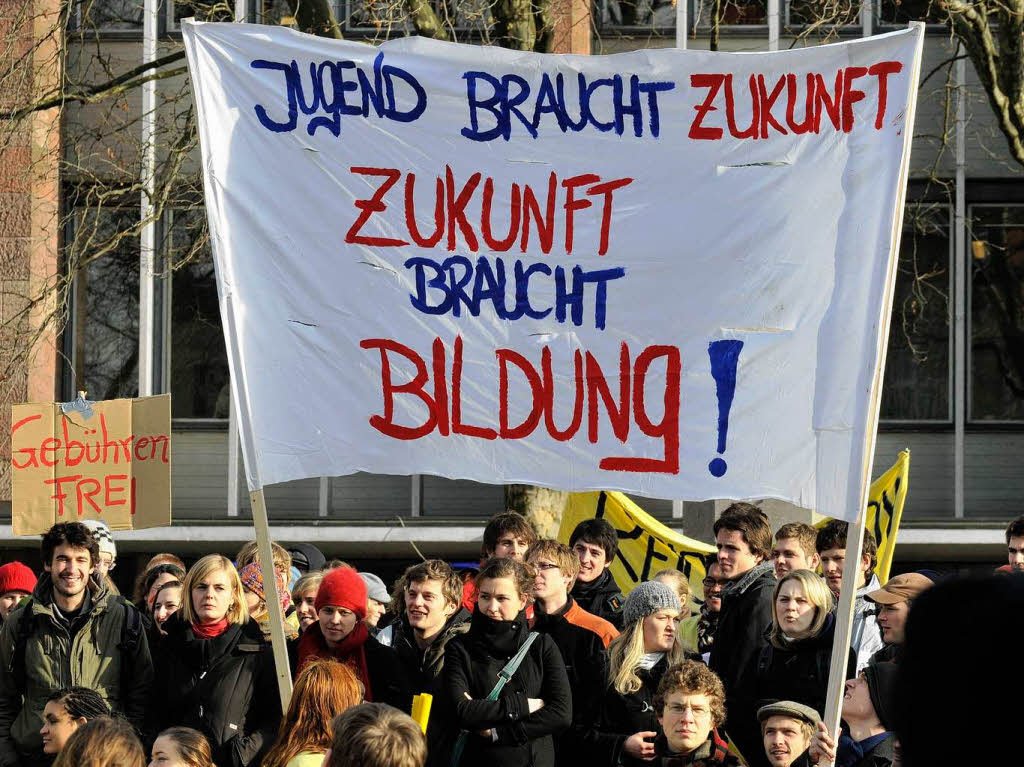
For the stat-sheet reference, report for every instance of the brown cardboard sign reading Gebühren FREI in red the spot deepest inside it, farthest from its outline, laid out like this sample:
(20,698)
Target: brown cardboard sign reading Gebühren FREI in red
(109,461)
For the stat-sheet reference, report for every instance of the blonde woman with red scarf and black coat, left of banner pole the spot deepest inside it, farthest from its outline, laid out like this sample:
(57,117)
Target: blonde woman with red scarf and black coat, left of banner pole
(215,673)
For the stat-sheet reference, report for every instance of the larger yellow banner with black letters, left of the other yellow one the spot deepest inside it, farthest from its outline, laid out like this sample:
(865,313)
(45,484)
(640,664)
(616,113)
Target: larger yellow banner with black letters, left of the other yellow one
(646,546)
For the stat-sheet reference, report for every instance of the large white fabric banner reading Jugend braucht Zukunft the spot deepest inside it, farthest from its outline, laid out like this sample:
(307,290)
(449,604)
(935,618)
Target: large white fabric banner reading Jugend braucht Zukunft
(666,273)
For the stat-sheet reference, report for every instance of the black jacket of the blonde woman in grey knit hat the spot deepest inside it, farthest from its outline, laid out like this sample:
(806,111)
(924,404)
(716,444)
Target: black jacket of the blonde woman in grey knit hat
(623,716)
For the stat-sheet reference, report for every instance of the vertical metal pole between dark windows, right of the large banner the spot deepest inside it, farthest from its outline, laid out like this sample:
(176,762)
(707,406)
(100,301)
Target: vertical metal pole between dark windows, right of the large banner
(961,266)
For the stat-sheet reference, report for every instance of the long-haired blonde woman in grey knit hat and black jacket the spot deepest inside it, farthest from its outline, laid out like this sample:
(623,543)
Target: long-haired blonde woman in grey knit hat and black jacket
(637,660)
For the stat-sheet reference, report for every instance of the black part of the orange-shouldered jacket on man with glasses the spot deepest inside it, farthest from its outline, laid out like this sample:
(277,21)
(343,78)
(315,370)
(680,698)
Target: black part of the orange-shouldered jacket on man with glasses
(587,668)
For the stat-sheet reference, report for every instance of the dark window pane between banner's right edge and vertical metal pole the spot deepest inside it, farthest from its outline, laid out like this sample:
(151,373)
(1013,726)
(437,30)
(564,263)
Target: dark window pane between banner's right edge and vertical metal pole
(917,386)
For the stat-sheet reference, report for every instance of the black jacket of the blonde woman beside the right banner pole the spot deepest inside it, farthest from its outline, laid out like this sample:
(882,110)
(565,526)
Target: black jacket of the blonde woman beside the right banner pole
(800,672)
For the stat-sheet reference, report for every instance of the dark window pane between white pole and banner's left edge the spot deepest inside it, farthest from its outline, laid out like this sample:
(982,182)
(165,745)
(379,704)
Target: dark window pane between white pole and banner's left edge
(199,359)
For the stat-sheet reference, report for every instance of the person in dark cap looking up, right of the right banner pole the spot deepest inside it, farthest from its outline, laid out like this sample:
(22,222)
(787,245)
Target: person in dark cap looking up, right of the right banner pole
(869,710)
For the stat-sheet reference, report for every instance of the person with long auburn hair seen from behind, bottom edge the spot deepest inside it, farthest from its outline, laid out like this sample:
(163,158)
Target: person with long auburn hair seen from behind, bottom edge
(324,690)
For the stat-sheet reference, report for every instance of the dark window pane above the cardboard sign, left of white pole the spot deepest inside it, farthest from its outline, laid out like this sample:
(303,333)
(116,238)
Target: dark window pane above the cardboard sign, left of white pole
(105,245)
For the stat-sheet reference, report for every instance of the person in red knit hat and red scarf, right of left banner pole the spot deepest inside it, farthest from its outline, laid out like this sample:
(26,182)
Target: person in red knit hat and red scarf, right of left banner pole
(340,633)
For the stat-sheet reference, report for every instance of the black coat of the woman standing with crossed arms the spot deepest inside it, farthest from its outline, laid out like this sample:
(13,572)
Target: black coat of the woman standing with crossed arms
(472,666)
